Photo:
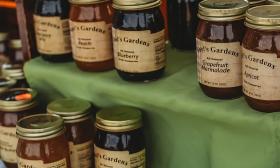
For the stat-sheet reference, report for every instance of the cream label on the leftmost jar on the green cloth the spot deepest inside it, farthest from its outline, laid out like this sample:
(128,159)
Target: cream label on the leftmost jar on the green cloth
(52,35)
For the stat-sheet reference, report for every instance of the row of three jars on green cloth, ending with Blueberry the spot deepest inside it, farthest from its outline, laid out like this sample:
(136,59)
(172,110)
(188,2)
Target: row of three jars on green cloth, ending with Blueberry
(128,36)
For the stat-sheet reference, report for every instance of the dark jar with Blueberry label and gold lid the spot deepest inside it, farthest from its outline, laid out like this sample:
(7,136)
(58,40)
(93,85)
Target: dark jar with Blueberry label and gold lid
(139,40)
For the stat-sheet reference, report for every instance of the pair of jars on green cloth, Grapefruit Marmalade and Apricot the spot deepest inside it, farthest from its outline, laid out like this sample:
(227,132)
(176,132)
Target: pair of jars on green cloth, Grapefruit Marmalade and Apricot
(233,56)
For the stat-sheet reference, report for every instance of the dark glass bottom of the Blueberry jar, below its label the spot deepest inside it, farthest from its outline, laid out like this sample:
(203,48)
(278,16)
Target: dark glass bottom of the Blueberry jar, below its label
(141,77)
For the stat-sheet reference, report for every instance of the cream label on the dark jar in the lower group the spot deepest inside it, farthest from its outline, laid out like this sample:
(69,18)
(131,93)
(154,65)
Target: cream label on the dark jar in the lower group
(118,159)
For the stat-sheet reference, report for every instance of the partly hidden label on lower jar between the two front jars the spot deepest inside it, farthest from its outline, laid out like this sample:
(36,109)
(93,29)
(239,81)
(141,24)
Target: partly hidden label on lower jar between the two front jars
(81,155)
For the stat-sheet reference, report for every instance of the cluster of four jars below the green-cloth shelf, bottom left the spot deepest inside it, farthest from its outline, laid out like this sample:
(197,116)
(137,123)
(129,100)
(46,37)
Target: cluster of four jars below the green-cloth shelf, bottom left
(67,136)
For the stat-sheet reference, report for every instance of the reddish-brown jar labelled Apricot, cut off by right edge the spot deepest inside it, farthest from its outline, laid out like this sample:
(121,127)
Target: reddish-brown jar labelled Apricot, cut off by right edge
(261,59)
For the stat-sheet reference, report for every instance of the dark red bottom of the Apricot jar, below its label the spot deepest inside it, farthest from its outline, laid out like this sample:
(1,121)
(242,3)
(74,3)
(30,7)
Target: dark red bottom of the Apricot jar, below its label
(263,105)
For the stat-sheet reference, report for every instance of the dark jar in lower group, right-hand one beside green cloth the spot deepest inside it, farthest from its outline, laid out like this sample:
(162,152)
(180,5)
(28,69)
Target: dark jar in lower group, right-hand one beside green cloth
(119,139)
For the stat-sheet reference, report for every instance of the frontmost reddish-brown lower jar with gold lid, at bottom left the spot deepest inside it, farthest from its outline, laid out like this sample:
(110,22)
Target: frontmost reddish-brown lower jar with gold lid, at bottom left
(42,142)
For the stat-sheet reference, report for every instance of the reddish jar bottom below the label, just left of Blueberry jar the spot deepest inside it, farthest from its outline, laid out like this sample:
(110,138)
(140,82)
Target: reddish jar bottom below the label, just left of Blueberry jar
(95,66)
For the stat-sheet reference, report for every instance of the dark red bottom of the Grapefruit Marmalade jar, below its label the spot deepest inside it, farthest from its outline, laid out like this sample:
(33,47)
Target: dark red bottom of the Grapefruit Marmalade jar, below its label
(222,93)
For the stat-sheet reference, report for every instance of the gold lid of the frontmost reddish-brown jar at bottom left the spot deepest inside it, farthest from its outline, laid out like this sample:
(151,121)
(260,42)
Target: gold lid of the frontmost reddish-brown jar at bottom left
(40,127)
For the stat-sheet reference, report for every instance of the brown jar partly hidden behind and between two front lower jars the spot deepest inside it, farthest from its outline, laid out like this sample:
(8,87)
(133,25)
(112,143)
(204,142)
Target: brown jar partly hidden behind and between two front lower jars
(79,129)
